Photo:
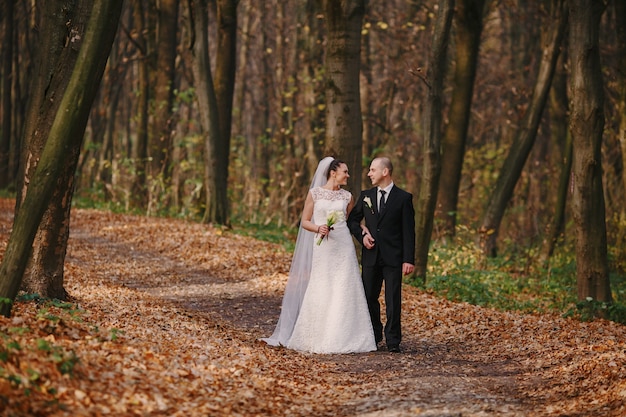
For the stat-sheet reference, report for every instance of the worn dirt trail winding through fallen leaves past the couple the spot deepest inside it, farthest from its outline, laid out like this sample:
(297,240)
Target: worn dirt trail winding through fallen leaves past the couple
(431,377)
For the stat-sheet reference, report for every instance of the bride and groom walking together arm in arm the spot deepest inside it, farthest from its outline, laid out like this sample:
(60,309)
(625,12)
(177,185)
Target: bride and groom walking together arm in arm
(329,306)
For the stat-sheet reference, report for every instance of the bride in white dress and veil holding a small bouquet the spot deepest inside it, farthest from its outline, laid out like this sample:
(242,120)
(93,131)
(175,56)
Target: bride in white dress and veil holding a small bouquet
(324,308)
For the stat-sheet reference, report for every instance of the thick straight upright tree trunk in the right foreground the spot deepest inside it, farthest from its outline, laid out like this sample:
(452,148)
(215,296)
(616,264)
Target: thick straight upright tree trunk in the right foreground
(586,125)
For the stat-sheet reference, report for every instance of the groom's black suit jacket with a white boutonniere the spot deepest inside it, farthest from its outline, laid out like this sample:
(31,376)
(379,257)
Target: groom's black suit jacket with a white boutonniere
(393,230)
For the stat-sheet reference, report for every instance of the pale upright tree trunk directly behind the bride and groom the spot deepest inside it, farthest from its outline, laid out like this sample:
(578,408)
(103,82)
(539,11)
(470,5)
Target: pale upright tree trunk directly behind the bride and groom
(343,106)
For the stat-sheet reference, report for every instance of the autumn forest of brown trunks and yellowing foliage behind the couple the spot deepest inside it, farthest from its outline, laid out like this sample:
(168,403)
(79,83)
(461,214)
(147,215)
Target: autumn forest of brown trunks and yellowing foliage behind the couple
(218,112)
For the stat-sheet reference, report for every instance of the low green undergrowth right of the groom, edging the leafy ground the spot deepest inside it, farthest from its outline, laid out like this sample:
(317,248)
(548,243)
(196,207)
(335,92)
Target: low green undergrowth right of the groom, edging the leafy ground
(514,281)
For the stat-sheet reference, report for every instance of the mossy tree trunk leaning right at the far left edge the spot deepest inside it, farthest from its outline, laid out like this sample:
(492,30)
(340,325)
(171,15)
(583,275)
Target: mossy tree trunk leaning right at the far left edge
(65,134)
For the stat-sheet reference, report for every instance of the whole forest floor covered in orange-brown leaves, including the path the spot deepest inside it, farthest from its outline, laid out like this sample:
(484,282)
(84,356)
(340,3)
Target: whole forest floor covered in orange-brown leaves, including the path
(164,320)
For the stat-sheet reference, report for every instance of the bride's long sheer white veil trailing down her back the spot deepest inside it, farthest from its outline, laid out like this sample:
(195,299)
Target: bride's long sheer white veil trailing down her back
(299,272)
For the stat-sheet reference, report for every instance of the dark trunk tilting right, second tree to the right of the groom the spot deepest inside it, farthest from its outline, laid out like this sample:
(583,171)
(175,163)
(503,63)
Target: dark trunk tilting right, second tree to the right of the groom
(469,25)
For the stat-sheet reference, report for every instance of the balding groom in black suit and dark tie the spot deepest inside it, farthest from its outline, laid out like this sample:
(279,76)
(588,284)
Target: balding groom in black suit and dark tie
(388,246)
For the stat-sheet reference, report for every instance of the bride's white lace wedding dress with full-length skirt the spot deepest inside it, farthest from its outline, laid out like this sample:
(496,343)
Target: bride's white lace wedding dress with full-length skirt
(333,317)
